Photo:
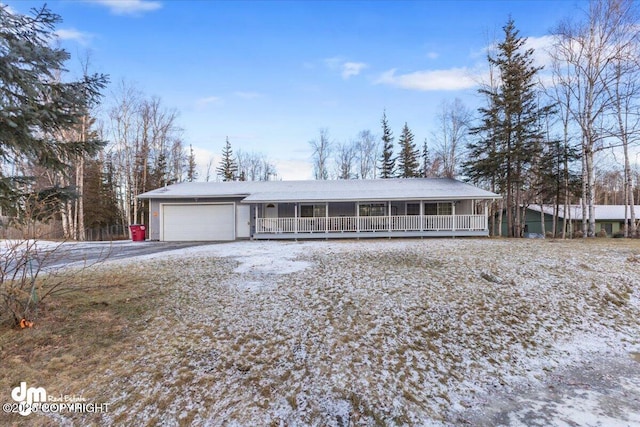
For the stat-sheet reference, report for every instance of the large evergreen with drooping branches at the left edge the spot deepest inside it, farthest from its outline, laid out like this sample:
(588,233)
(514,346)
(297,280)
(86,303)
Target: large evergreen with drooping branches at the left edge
(35,105)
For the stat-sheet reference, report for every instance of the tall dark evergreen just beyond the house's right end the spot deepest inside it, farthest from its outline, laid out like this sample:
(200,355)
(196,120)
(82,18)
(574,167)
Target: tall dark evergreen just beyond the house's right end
(509,136)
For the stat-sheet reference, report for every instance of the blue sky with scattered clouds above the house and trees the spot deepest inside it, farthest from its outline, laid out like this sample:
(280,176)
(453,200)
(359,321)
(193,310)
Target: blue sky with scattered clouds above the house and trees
(270,74)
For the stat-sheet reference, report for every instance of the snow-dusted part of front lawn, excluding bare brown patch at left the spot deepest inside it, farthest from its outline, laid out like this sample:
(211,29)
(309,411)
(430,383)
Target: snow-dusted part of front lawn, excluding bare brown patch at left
(385,332)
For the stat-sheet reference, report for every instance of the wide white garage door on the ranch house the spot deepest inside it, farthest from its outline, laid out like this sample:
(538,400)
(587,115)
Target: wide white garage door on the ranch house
(198,222)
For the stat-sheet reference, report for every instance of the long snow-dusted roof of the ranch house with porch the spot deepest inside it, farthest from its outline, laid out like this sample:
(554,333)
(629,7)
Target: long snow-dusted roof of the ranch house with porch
(331,191)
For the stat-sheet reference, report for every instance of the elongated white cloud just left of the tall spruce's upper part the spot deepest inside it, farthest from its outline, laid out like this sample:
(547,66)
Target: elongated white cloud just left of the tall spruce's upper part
(432,80)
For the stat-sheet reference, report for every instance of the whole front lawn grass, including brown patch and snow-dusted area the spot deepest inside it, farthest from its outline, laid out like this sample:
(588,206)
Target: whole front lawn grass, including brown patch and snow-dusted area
(373,333)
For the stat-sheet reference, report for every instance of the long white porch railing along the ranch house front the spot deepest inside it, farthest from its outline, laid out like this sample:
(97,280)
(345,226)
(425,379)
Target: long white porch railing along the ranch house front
(372,224)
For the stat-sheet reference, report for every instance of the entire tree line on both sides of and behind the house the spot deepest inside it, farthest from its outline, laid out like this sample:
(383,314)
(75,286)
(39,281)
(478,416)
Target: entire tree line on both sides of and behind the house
(534,139)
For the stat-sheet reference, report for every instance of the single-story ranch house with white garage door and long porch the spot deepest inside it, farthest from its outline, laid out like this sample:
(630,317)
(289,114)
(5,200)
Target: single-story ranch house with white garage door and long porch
(222,211)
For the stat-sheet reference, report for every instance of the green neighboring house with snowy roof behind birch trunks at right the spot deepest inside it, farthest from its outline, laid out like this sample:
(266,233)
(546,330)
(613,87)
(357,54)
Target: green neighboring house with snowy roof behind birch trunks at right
(610,218)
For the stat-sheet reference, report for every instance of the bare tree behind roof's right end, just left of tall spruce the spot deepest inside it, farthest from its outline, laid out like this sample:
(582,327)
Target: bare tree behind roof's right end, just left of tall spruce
(453,127)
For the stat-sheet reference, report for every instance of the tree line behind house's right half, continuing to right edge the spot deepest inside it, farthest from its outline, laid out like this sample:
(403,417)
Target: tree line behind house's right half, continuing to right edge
(533,141)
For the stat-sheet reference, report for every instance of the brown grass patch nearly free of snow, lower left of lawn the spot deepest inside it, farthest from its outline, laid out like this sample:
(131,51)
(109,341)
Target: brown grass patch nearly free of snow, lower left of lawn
(76,335)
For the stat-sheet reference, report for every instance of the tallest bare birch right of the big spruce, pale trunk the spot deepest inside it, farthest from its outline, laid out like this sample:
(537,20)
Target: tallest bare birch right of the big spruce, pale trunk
(588,50)
